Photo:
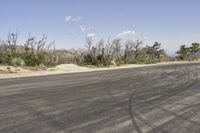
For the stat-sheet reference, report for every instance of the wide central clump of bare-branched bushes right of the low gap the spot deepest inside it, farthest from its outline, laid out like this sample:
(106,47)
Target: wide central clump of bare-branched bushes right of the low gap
(117,52)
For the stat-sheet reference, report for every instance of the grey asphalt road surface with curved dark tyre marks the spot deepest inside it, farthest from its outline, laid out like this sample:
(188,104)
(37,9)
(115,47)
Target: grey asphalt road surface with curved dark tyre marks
(159,99)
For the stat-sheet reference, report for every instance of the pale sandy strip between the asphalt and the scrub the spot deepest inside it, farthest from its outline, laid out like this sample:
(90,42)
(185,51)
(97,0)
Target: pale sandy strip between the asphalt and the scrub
(14,72)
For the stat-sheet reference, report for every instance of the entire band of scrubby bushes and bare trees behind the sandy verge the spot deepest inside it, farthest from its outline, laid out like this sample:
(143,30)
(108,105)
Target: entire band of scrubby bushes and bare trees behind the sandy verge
(105,52)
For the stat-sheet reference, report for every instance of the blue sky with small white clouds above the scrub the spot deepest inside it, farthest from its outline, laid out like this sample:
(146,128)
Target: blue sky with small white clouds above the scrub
(68,22)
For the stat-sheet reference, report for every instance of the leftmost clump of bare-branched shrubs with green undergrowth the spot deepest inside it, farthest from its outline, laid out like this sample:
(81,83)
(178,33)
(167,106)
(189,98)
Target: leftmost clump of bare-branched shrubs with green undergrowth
(33,53)
